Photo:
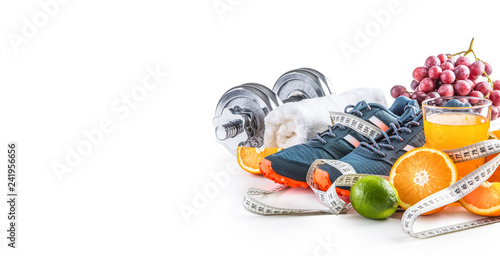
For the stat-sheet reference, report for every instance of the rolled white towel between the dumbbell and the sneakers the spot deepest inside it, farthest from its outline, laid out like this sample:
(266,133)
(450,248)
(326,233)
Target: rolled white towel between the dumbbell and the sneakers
(293,123)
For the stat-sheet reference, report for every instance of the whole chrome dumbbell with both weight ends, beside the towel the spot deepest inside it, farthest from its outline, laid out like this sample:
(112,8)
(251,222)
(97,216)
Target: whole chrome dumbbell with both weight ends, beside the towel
(239,115)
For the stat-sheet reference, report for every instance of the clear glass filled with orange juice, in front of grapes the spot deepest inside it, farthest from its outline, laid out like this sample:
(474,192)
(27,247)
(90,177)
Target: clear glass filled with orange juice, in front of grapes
(455,122)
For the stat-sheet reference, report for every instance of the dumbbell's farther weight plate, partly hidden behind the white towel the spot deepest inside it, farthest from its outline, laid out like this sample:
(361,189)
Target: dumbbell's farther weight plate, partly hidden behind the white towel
(302,83)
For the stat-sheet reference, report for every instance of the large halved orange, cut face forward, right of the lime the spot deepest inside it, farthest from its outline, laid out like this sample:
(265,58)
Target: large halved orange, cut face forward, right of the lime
(422,172)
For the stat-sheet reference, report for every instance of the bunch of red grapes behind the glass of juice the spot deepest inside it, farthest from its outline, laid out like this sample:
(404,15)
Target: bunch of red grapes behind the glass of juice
(444,75)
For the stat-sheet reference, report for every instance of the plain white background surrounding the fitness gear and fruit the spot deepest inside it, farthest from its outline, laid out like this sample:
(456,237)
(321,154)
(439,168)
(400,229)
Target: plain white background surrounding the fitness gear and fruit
(124,196)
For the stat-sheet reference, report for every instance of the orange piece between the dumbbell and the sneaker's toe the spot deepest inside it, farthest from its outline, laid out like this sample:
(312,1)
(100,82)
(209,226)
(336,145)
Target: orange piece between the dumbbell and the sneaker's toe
(249,158)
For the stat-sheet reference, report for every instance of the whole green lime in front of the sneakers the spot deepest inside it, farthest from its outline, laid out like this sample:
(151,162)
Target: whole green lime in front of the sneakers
(374,197)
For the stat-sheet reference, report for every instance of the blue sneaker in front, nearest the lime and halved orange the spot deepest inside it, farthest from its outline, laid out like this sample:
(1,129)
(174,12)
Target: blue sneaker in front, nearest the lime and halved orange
(379,155)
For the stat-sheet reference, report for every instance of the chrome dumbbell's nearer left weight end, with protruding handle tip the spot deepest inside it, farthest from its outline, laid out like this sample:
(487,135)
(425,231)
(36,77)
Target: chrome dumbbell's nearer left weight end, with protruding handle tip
(252,103)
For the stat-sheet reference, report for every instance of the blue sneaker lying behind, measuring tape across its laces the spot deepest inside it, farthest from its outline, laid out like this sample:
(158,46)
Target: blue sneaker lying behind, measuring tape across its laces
(352,128)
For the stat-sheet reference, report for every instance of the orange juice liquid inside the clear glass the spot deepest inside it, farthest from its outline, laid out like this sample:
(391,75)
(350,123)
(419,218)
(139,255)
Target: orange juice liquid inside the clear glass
(456,130)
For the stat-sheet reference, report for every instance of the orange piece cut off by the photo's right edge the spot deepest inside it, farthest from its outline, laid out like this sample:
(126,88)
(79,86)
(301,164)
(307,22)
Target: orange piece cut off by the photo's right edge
(484,200)
